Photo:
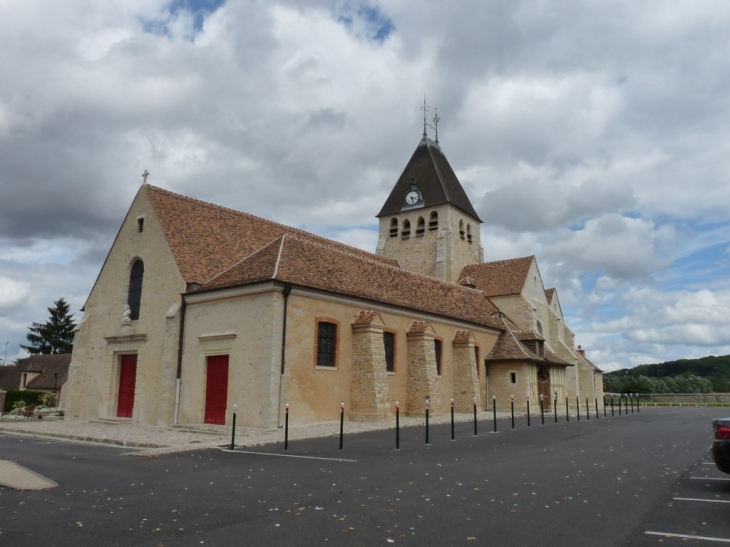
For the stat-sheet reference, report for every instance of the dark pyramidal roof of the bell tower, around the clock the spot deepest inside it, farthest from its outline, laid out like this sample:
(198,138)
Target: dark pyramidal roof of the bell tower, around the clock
(434,178)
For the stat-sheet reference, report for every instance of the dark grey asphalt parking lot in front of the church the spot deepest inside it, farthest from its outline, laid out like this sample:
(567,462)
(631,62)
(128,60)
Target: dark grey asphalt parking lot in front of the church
(629,480)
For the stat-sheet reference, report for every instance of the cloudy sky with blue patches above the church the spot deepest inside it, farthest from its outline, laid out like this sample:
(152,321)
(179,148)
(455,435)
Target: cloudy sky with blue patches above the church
(592,134)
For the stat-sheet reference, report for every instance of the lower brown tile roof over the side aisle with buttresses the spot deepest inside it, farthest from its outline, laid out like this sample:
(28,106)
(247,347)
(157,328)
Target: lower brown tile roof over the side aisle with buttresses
(304,262)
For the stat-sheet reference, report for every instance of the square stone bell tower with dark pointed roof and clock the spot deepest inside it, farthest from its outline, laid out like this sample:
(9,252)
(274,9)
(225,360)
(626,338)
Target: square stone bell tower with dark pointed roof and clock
(428,223)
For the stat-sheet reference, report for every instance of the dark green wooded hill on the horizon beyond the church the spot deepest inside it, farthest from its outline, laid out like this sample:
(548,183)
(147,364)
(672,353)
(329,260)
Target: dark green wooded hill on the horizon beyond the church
(705,375)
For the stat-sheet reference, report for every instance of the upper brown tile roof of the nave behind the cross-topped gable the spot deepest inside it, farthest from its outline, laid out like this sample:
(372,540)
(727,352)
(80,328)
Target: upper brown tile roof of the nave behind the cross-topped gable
(207,239)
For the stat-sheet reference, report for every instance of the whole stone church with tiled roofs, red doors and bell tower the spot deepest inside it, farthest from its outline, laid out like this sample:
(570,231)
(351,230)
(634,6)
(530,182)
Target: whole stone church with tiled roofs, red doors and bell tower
(199,307)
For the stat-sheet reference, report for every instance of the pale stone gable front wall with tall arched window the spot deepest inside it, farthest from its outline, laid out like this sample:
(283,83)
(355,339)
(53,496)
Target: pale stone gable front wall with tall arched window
(91,391)
